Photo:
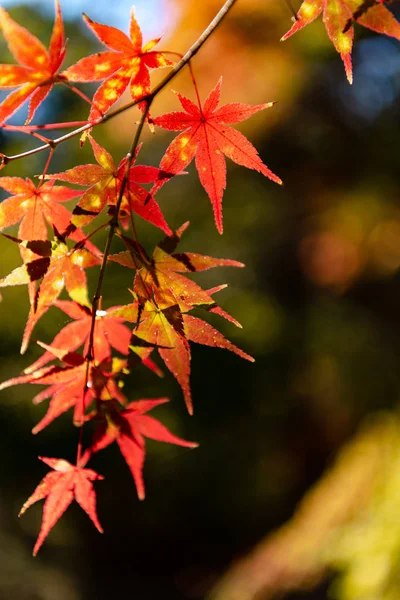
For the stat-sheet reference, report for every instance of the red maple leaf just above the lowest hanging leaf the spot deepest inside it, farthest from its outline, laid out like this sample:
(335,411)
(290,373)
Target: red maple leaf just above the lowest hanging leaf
(128,428)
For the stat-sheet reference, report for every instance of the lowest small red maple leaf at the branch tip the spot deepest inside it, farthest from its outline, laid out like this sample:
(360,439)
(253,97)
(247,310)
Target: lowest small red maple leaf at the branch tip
(60,487)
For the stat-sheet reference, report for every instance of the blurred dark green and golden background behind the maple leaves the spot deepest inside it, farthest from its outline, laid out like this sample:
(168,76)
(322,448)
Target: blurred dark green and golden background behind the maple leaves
(316,417)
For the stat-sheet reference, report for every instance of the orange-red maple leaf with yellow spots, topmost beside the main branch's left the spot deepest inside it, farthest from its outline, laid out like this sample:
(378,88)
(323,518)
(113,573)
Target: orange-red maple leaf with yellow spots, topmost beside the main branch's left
(126,63)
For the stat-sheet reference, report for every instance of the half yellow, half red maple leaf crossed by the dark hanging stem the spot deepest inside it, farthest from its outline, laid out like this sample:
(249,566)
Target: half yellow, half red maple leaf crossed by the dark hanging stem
(105,179)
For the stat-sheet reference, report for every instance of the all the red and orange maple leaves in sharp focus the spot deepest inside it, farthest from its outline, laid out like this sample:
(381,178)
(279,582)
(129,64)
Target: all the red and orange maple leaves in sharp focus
(84,366)
